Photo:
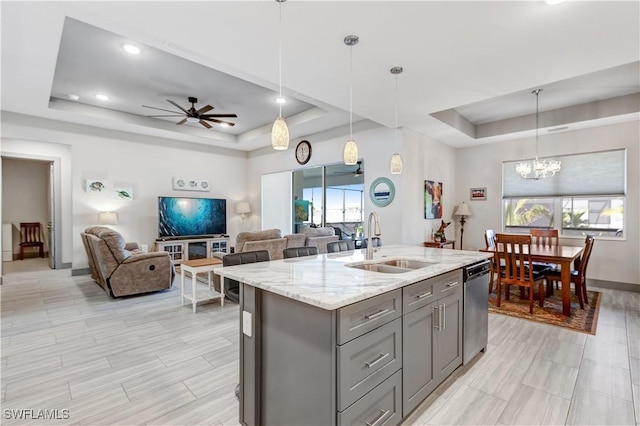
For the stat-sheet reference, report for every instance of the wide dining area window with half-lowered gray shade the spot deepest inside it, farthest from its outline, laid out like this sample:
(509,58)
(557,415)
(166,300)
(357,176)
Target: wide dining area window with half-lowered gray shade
(586,196)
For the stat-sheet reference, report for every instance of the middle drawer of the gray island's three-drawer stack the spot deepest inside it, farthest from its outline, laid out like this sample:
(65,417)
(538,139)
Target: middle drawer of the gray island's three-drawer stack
(367,361)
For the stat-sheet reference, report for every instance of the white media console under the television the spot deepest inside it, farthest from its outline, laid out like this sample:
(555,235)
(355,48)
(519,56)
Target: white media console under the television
(181,249)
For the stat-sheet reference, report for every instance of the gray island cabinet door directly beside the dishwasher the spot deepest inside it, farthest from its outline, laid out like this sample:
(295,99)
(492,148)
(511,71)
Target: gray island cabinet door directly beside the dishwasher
(448,336)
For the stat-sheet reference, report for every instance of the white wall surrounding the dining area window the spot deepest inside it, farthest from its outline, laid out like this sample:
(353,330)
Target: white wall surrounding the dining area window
(481,166)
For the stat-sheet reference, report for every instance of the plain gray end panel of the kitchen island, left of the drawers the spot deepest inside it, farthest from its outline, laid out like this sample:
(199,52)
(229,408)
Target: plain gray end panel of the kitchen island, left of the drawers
(298,357)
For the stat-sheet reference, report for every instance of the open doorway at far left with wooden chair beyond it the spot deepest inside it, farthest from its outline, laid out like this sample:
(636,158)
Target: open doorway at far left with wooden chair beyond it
(27,196)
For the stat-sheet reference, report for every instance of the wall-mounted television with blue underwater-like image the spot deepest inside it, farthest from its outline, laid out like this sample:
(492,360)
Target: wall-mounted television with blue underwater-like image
(186,217)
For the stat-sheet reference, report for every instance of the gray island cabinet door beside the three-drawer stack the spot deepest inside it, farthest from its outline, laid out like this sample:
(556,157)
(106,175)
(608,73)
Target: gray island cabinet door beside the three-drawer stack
(418,374)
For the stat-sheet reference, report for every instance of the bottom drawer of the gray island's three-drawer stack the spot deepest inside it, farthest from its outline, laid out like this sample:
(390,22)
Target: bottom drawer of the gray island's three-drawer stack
(380,407)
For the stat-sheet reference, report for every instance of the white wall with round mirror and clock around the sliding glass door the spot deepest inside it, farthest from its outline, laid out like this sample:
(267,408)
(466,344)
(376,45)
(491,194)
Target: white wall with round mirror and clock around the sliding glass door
(402,221)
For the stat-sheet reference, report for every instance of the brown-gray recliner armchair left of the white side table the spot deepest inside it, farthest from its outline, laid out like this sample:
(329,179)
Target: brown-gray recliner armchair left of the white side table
(122,269)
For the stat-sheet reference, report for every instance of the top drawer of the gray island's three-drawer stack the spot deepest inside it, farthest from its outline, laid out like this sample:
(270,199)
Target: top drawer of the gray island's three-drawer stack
(362,317)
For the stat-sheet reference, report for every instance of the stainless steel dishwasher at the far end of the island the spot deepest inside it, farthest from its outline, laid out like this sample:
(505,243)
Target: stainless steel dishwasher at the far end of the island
(476,309)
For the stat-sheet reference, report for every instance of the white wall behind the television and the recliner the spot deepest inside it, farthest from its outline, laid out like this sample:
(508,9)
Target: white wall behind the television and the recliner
(133,162)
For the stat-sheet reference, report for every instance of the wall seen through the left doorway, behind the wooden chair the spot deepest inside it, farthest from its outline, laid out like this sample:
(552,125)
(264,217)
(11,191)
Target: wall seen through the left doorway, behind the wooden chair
(24,198)
